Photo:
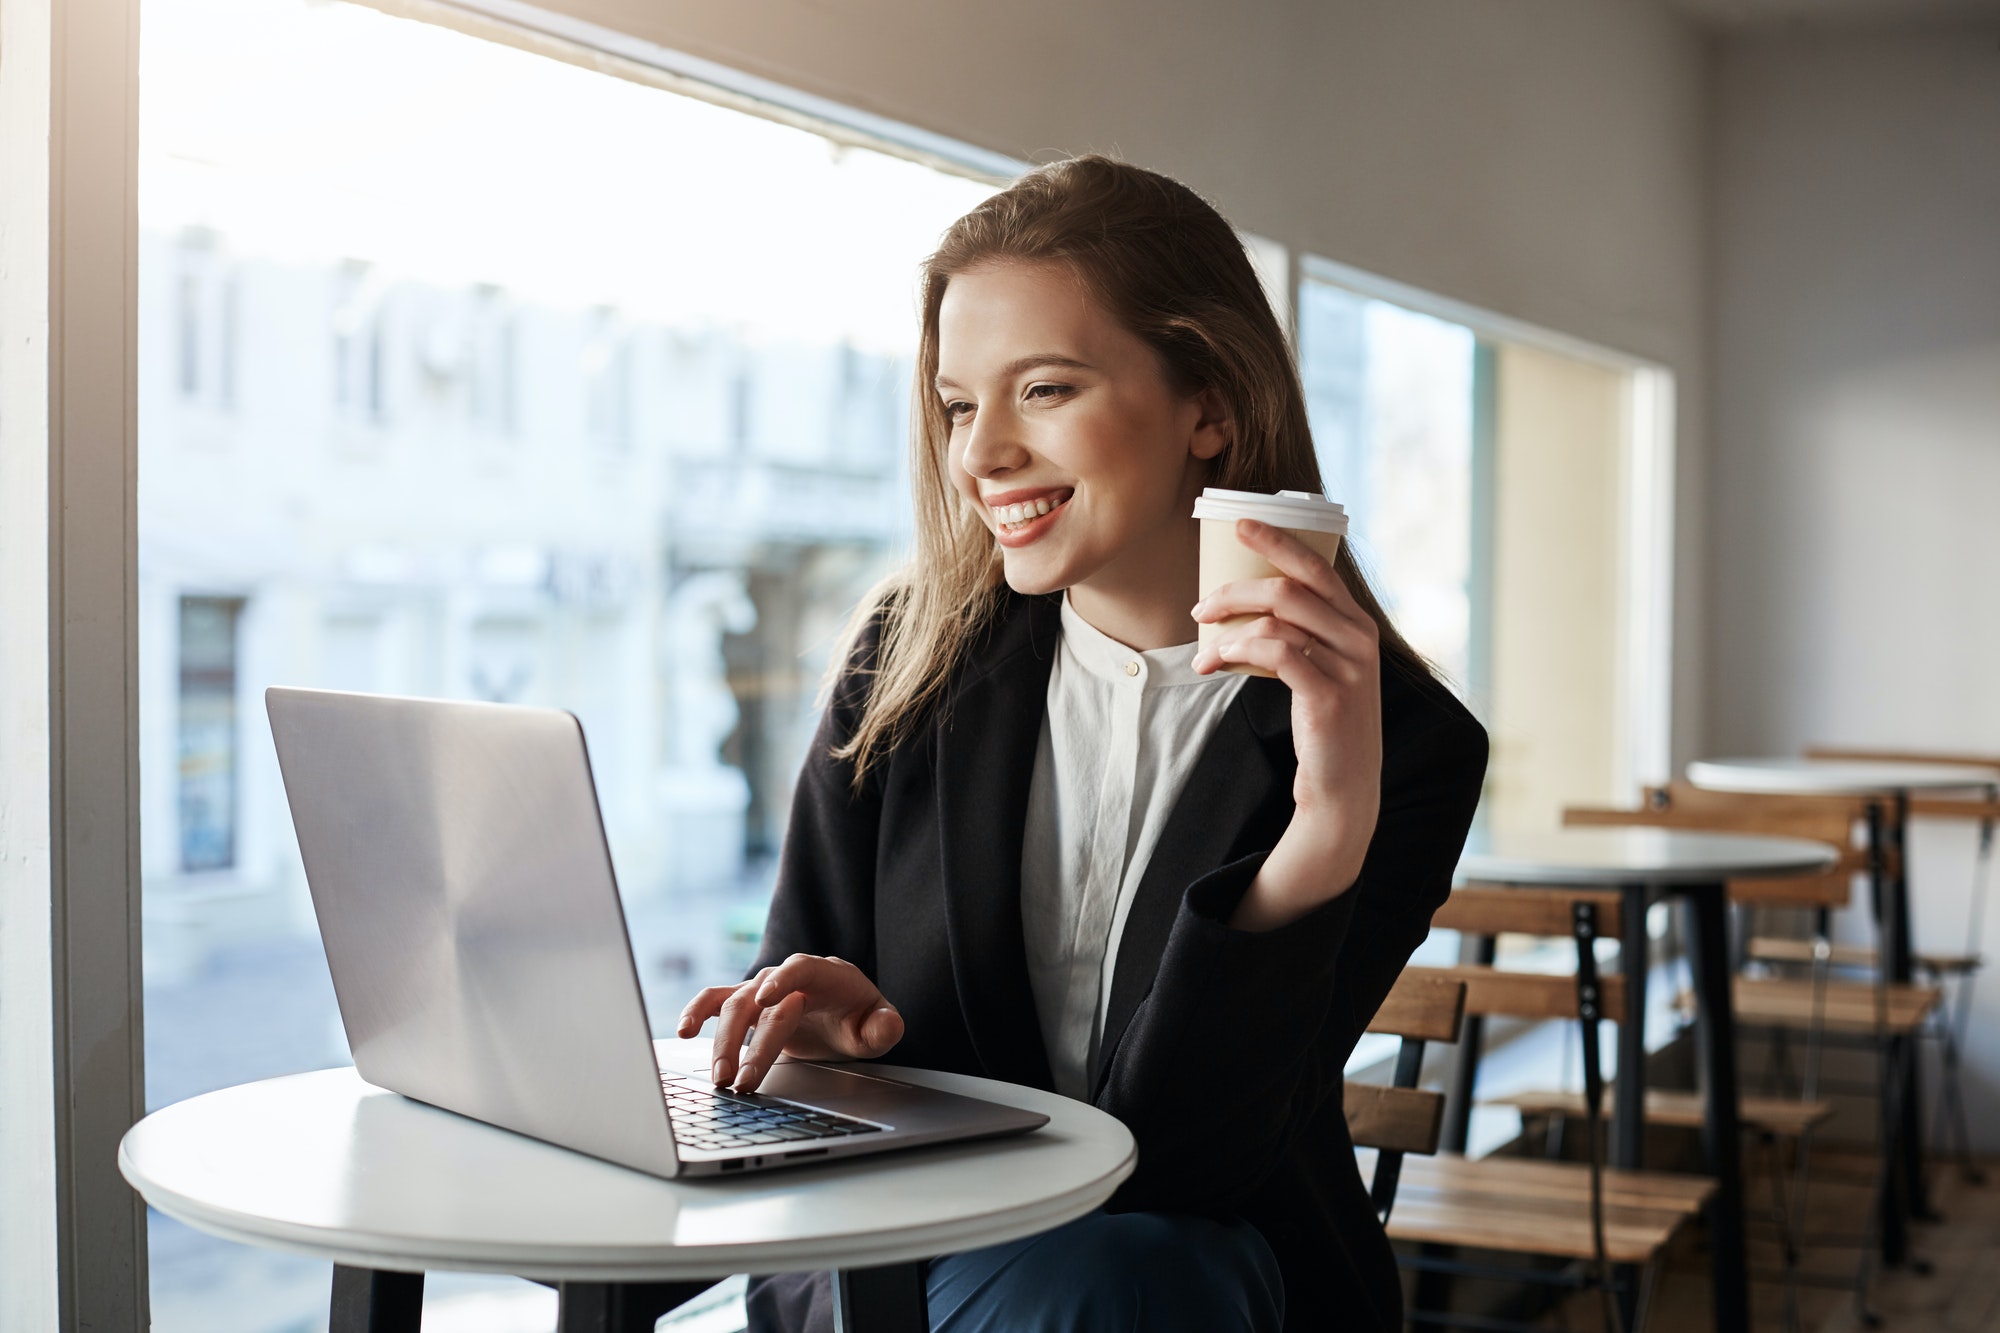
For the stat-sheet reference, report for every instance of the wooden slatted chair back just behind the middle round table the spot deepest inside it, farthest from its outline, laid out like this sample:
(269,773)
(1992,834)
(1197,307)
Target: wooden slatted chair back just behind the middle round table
(1821,820)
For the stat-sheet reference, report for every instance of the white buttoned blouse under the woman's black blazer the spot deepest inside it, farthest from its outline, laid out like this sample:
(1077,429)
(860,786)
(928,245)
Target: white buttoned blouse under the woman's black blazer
(1119,742)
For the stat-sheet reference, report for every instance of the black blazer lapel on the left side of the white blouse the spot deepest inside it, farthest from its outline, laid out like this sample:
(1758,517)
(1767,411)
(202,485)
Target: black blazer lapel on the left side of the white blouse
(987,744)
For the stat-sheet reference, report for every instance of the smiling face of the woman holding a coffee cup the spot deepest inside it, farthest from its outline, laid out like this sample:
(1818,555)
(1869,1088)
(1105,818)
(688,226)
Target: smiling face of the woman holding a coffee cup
(1071,443)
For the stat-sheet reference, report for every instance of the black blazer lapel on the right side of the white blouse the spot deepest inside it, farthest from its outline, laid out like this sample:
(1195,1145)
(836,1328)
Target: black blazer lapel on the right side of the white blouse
(1245,772)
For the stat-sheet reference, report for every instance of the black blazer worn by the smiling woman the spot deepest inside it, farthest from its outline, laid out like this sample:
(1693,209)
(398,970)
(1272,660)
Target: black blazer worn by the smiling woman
(1223,1050)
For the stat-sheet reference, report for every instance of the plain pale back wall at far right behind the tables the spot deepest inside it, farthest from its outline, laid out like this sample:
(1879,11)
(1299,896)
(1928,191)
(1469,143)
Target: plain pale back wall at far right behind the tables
(1857,419)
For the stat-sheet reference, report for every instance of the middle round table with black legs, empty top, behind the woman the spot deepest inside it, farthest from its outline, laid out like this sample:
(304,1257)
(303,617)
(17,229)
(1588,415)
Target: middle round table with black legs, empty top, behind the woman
(1643,864)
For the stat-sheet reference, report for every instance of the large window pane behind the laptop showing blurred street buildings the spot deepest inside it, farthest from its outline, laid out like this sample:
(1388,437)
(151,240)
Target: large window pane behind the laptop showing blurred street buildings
(481,375)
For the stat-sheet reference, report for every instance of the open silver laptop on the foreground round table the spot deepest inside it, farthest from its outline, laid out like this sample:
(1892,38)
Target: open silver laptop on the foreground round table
(465,894)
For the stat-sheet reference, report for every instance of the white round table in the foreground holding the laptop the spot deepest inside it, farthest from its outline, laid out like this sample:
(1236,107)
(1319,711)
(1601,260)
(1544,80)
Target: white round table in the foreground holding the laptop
(333,1168)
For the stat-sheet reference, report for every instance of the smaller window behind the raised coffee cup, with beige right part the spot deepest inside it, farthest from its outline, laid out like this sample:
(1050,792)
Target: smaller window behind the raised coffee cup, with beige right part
(1509,499)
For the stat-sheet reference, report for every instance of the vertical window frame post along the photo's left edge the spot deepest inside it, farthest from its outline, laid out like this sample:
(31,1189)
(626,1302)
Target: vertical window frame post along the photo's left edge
(73,1238)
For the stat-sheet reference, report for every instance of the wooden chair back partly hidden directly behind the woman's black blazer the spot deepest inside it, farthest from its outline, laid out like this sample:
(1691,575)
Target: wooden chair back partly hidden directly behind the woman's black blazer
(1403,1118)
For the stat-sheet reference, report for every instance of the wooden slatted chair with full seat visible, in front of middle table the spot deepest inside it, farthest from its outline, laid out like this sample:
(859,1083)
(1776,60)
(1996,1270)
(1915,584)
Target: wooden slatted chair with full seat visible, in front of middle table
(1585,1214)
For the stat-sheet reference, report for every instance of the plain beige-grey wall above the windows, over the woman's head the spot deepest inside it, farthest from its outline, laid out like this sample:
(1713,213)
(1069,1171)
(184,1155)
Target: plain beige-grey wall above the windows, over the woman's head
(1543,159)
